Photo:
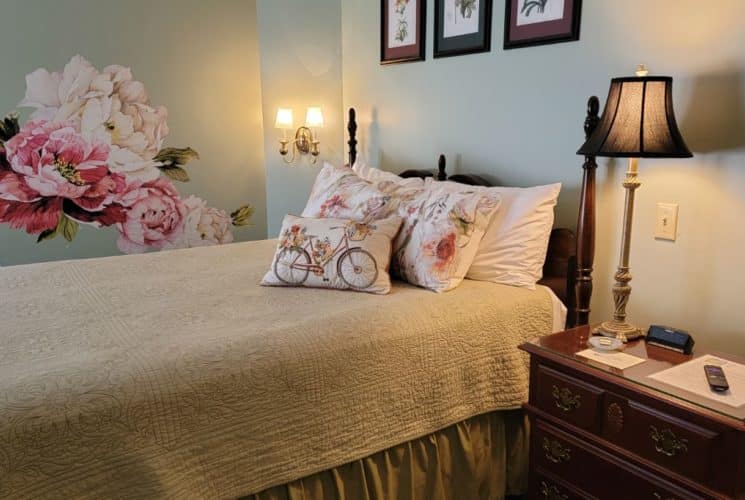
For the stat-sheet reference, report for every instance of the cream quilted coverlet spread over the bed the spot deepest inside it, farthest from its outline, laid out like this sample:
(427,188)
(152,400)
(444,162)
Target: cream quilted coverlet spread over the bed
(176,375)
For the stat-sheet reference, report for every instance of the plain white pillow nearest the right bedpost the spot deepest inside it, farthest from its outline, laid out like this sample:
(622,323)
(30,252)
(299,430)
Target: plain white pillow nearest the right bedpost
(513,249)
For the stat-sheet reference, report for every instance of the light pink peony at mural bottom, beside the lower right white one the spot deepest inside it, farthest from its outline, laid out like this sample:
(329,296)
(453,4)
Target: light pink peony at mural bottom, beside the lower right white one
(155,217)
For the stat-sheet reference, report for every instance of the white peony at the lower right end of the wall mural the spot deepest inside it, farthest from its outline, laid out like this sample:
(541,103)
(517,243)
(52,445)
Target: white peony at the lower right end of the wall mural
(203,226)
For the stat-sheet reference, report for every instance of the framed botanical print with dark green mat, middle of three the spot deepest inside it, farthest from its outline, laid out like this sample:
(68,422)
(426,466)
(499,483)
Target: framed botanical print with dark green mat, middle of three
(462,27)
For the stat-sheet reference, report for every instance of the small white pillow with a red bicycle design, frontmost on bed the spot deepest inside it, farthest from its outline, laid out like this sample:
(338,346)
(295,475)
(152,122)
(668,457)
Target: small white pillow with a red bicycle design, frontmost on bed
(334,253)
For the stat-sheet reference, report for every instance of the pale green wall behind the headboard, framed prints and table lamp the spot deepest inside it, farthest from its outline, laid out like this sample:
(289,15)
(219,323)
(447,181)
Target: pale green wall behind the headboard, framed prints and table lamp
(517,115)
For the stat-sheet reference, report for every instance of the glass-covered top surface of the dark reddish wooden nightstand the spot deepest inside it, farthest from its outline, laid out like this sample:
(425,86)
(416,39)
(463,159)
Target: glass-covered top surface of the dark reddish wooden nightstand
(566,345)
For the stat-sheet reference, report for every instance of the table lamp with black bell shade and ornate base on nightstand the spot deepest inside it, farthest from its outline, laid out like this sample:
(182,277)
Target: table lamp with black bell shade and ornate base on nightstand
(638,122)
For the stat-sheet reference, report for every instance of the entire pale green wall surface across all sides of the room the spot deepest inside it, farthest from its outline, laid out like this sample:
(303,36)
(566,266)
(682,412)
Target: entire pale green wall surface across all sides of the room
(512,115)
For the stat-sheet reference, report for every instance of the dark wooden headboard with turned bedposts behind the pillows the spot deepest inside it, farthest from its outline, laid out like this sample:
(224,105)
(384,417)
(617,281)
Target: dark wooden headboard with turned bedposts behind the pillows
(569,259)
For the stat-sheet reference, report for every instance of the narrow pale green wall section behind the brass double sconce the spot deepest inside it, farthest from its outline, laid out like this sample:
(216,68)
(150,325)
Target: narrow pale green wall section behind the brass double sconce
(300,67)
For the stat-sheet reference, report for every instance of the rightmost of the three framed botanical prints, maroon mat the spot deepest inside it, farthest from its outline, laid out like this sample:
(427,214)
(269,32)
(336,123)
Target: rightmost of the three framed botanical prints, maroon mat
(538,22)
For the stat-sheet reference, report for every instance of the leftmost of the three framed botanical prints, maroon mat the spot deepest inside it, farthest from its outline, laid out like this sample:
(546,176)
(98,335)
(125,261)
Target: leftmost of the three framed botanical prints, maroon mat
(402,30)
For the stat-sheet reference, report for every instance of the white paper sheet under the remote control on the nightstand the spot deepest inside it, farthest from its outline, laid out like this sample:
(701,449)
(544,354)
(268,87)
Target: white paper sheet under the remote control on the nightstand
(690,376)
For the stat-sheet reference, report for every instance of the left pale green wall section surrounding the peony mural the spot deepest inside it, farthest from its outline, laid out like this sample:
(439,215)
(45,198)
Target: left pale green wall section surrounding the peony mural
(197,58)
